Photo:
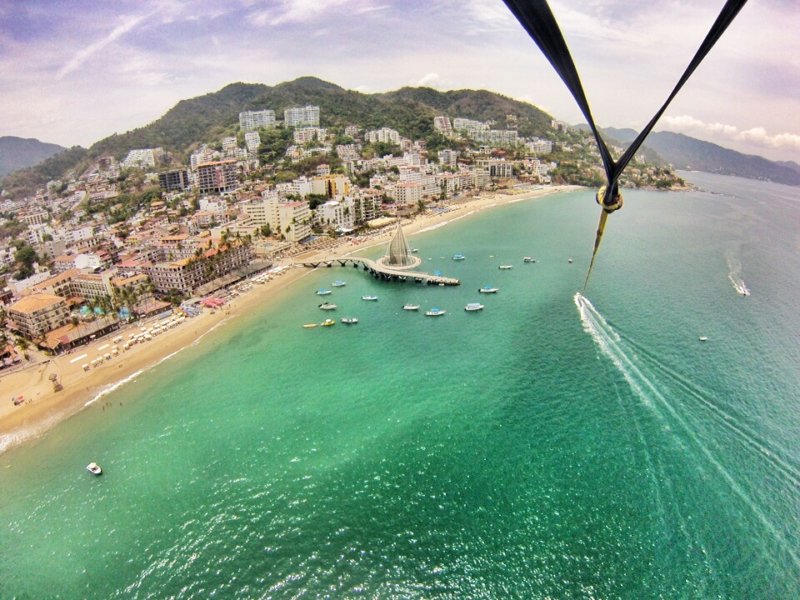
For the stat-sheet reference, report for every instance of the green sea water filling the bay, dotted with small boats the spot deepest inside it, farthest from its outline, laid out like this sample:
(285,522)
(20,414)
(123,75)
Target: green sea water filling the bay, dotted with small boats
(554,445)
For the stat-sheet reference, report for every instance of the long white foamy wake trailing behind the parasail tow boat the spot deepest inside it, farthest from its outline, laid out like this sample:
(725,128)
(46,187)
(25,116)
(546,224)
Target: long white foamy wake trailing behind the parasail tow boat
(634,364)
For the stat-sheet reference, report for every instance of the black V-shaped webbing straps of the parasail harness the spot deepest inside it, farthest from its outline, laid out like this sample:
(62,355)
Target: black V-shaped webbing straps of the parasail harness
(538,20)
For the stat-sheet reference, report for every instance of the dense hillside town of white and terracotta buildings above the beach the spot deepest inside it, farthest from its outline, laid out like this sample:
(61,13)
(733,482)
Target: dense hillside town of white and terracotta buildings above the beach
(136,236)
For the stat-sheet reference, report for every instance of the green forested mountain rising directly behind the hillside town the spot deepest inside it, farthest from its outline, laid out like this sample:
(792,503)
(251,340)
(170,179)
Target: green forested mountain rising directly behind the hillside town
(209,117)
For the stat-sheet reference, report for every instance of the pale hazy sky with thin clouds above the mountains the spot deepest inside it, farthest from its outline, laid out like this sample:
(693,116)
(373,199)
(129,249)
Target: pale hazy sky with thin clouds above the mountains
(75,71)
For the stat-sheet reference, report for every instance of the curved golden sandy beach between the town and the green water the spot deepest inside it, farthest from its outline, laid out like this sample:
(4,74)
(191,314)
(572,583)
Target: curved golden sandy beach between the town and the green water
(43,407)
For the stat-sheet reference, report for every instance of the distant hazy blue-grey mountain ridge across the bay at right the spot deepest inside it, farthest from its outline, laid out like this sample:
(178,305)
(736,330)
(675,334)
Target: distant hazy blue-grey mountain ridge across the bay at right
(684,152)
